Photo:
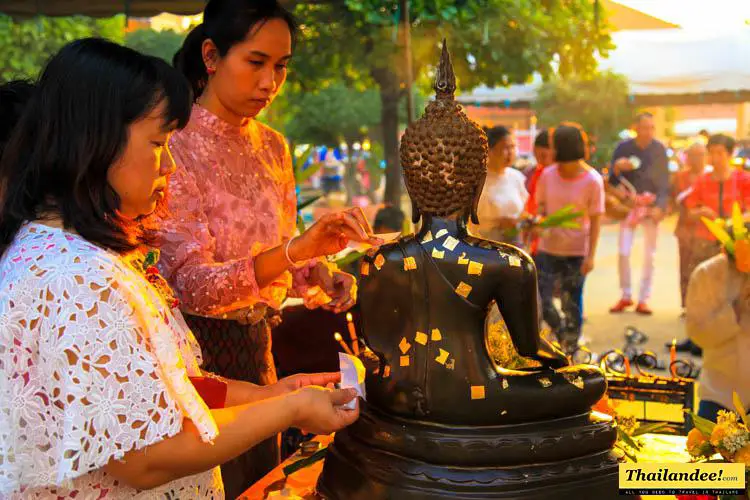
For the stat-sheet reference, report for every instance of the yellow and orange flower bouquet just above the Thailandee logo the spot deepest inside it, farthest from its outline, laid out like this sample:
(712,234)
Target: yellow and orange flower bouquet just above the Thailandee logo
(728,438)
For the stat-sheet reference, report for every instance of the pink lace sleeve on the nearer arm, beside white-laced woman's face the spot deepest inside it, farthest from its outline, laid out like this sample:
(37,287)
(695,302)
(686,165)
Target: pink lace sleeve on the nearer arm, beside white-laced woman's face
(203,285)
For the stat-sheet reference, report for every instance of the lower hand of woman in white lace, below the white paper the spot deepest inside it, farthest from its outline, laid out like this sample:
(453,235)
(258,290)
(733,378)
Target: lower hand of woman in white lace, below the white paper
(320,411)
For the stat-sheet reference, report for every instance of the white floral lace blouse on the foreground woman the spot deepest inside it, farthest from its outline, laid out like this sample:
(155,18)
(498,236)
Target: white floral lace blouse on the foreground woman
(93,364)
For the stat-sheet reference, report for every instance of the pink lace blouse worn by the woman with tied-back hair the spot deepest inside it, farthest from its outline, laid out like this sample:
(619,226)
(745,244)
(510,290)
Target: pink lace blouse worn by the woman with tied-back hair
(231,197)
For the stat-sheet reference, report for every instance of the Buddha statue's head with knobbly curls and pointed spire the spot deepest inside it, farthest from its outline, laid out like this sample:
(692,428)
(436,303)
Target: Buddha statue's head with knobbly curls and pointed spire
(444,154)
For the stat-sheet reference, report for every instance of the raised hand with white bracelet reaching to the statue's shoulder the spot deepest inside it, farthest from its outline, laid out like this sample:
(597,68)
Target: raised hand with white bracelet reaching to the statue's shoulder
(331,234)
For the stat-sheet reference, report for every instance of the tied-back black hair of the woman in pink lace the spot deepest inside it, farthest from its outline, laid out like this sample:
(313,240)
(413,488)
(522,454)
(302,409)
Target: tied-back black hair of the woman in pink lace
(226,23)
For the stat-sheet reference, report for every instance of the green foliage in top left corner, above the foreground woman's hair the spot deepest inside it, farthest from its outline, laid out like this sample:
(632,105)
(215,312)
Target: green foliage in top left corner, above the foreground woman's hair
(26,46)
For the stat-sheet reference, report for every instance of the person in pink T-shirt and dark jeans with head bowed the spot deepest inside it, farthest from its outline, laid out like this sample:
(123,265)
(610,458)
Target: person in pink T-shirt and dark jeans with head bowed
(566,256)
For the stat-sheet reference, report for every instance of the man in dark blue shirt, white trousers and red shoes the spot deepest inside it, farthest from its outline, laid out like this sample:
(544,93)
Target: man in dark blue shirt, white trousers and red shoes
(642,162)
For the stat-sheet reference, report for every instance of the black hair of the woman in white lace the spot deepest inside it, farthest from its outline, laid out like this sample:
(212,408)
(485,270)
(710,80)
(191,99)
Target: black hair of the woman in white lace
(74,129)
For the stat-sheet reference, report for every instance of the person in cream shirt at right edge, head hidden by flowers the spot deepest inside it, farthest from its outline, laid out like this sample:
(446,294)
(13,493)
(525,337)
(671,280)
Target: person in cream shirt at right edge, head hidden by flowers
(718,321)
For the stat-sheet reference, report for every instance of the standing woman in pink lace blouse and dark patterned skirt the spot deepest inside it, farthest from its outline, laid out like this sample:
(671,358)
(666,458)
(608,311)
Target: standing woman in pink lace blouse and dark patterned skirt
(227,245)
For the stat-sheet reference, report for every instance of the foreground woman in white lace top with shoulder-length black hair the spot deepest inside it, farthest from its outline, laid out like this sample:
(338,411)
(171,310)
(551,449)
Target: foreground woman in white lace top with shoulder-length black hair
(96,399)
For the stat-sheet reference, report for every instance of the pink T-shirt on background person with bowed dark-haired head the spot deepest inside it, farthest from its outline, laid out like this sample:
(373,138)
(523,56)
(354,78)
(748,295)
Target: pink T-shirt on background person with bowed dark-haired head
(585,192)
